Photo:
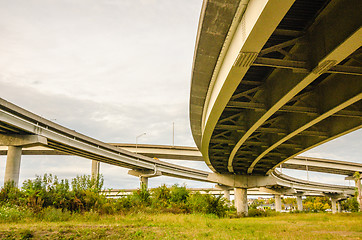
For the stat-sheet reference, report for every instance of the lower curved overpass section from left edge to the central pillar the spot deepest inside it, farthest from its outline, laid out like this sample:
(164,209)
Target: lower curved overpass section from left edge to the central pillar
(20,128)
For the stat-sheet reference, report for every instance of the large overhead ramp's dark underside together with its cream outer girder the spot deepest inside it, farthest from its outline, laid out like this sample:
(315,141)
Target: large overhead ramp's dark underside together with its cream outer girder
(292,93)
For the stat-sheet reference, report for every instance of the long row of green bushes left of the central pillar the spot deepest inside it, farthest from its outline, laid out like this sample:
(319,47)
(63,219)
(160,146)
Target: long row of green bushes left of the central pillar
(56,200)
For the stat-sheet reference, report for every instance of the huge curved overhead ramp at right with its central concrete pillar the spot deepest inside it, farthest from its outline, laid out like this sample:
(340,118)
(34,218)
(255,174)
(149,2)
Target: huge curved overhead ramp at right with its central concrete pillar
(272,79)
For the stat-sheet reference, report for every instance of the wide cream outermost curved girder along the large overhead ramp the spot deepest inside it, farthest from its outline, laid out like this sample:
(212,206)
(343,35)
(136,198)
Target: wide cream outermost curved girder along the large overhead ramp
(252,30)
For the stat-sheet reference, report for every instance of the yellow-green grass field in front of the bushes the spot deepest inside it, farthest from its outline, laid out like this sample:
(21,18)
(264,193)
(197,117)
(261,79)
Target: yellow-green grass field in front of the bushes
(180,226)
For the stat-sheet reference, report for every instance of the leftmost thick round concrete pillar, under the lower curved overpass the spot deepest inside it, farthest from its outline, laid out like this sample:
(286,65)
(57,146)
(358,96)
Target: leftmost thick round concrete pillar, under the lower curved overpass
(12,168)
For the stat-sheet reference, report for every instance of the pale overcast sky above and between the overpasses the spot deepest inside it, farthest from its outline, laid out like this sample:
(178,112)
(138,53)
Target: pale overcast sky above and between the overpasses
(112,69)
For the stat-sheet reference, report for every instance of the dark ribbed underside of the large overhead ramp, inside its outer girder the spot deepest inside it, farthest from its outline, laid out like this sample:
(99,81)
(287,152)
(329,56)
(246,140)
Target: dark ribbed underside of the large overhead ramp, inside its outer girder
(305,84)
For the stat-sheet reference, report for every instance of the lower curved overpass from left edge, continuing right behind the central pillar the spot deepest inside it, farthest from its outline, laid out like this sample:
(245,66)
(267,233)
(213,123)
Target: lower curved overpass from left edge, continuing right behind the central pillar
(21,129)
